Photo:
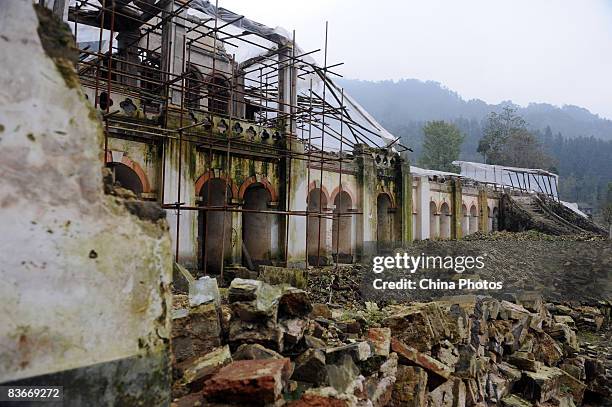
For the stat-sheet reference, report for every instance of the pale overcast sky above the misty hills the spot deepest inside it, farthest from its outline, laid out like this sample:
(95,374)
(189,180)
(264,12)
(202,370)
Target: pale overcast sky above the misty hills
(554,51)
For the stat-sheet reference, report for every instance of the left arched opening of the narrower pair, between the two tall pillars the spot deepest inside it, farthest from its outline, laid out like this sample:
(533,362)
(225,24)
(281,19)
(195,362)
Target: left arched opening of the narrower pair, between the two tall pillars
(317,228)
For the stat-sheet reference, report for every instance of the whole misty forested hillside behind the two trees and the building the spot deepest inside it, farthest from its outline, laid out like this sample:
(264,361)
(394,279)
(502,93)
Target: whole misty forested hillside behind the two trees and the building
(578,141)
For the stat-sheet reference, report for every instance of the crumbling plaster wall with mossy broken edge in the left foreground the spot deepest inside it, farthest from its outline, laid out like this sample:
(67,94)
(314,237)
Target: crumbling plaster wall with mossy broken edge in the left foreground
(84,284)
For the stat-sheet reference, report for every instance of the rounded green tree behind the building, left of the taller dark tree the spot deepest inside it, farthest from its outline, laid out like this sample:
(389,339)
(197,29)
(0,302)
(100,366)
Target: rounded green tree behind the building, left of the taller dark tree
(441,146)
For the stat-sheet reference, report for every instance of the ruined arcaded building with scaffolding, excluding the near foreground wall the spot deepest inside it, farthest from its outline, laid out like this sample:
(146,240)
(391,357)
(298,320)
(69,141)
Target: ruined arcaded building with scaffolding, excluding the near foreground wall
(257,155)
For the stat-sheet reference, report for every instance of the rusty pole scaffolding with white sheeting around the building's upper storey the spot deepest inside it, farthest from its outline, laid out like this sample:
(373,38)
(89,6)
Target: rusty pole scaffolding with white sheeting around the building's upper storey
(227,82)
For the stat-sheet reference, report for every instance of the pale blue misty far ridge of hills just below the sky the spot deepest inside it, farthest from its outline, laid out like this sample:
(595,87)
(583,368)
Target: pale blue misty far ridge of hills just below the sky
(396,103)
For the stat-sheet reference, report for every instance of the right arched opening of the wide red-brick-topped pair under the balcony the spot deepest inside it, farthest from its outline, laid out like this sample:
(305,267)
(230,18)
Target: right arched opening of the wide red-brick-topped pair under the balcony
(256,227)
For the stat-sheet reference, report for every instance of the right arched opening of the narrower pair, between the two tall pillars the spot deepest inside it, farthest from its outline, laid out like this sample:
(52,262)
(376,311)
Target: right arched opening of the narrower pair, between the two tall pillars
(342,228)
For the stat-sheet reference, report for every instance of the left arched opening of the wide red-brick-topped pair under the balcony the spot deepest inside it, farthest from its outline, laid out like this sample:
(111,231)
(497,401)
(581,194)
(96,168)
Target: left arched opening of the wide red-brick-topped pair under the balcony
(213,240)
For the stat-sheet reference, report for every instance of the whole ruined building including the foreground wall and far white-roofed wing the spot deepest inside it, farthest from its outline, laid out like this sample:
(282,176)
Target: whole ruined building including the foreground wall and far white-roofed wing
(253,151)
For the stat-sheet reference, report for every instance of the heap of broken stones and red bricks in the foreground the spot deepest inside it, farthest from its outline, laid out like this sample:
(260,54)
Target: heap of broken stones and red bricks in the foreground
(263,345)
